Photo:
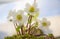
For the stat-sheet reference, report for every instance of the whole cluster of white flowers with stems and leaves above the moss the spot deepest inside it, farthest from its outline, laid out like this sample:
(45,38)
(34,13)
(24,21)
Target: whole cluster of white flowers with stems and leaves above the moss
(27,22)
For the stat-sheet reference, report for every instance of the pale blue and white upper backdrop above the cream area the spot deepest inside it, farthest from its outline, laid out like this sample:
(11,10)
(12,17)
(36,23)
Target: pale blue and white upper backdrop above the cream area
(47,8)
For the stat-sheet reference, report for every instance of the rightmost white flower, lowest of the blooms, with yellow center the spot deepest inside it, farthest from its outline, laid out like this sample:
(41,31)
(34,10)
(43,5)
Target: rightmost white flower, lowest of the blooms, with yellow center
(45,26)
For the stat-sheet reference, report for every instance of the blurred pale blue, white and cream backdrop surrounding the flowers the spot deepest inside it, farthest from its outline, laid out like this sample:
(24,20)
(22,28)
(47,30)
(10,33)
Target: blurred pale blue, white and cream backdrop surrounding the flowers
(48,8)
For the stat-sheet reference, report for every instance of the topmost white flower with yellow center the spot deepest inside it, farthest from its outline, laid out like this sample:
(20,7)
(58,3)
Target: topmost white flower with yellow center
(31,9)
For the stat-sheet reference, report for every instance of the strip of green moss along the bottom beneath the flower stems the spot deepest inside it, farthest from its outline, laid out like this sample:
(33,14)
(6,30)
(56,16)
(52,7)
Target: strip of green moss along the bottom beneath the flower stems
(26,36)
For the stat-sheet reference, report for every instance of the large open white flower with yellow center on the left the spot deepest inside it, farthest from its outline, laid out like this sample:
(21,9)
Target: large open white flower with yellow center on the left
(18,17)
